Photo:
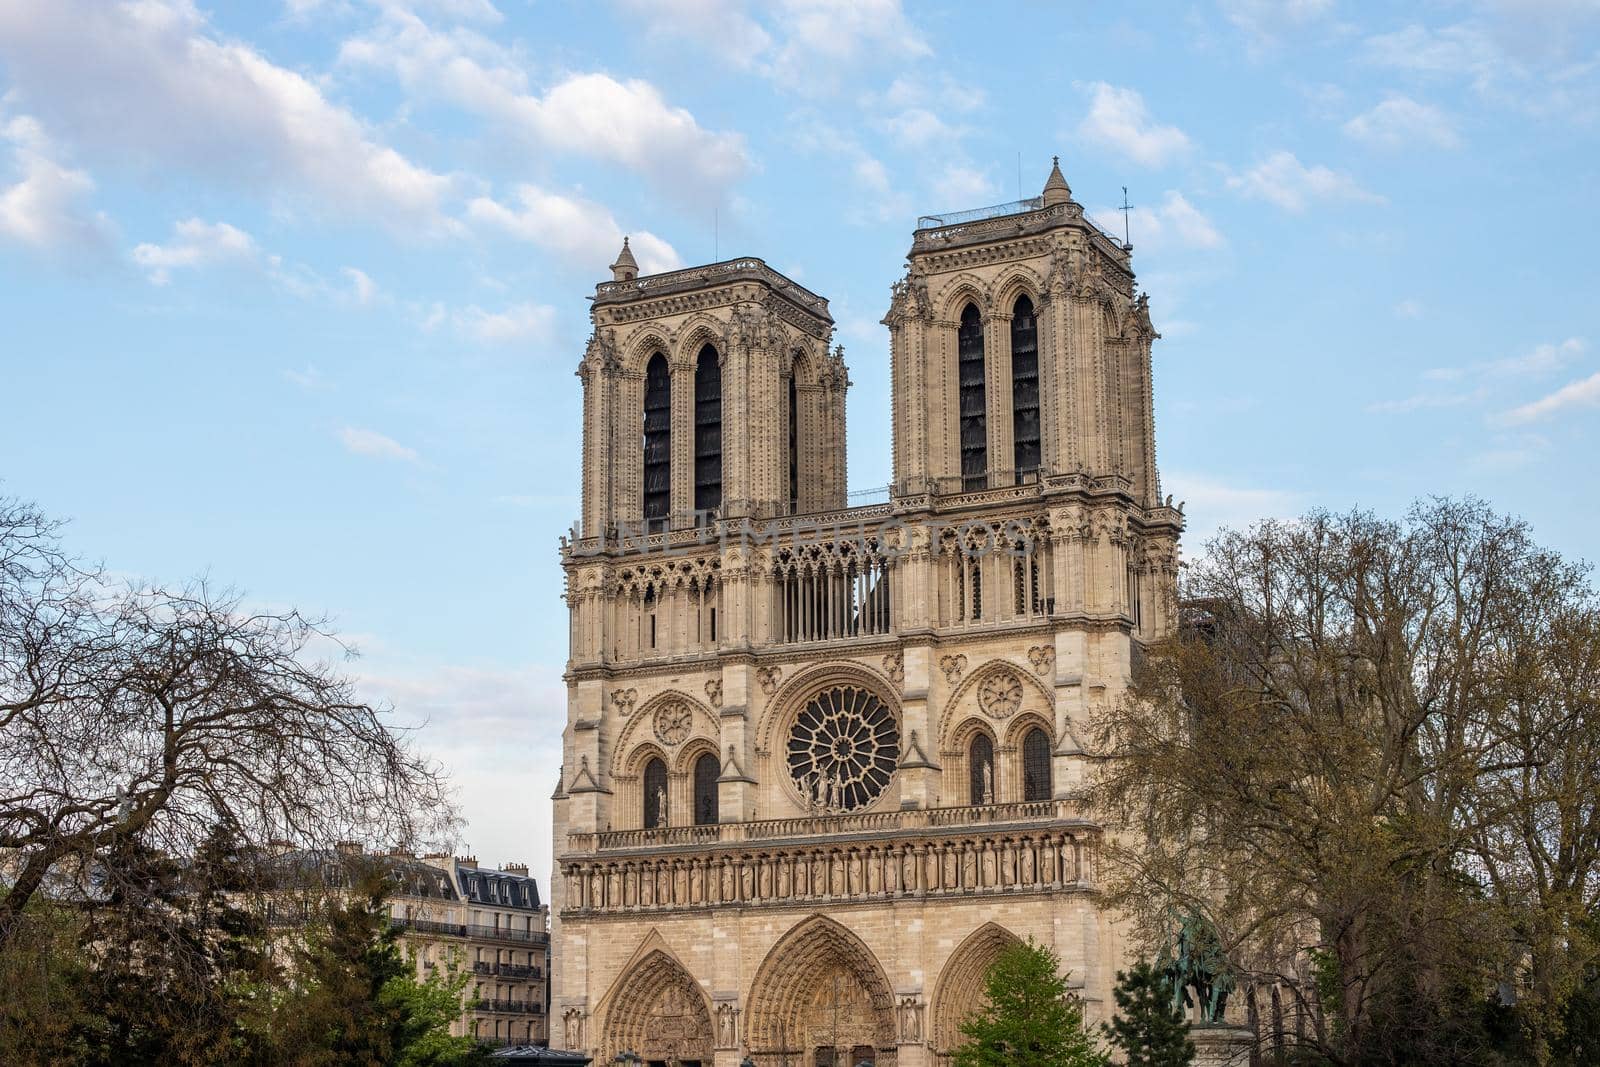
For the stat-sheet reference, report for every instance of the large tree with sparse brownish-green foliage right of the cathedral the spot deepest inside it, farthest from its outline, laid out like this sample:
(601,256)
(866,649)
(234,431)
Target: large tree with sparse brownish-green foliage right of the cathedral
(1370,756)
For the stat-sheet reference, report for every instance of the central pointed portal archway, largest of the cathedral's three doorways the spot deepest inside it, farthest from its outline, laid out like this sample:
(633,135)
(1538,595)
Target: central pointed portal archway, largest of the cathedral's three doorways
(822,1001)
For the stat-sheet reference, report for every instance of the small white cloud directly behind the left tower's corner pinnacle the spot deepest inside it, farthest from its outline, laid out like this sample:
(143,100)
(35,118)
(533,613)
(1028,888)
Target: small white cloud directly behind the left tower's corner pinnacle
(580,231)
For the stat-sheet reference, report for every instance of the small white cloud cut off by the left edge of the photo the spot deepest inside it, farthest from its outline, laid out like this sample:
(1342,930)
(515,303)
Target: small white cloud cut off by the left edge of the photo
(49,204)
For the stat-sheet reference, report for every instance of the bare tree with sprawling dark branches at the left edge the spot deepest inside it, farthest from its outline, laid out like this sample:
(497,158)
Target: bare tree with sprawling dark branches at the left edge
(132,713)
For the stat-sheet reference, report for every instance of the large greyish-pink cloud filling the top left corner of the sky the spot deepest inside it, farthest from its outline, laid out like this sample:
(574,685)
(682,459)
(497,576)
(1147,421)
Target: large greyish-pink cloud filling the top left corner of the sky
(156,86)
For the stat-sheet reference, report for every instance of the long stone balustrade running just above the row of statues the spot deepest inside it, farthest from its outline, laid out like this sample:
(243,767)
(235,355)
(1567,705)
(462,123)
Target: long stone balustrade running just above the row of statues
(812,826)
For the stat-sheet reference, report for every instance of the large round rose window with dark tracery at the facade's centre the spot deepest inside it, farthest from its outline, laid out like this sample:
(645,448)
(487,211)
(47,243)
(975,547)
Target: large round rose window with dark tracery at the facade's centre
(842,749)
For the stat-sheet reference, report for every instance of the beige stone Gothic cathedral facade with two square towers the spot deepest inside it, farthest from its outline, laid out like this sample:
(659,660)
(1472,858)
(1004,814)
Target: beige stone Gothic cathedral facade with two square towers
(822,762)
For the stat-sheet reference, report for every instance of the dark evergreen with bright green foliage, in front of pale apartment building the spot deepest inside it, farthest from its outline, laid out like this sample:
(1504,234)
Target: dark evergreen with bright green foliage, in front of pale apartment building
(358,1001)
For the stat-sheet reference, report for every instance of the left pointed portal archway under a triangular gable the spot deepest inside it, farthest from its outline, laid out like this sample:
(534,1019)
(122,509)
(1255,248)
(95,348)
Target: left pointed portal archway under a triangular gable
(660,1013)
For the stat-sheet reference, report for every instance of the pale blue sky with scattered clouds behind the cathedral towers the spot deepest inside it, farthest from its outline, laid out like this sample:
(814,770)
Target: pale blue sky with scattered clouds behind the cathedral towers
(292,295)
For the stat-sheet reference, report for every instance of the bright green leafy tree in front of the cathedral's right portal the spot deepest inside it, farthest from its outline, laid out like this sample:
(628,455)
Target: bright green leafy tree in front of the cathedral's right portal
(1028,1018)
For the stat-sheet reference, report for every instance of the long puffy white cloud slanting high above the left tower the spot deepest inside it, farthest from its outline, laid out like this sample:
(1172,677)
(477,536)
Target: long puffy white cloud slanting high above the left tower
(586,114)
